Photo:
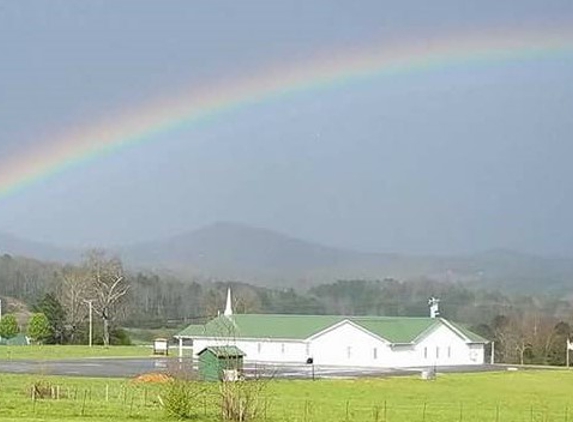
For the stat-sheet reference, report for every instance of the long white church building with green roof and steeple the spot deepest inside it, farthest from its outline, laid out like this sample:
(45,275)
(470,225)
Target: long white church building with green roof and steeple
(351,341)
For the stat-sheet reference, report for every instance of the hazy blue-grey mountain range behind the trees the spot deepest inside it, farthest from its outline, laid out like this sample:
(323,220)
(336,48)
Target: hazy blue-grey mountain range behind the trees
(231,251)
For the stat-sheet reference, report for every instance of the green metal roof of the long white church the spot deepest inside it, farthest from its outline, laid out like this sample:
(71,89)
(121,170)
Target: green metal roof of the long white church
(300,327)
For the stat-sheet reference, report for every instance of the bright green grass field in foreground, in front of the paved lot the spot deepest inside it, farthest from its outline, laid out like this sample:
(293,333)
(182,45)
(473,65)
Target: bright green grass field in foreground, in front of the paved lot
(510,396)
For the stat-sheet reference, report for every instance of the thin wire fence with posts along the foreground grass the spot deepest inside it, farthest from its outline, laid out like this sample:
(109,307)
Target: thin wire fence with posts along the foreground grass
(143,401)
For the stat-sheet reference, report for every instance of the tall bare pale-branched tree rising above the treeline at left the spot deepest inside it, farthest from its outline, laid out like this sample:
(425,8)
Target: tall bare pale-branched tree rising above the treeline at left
(108,287)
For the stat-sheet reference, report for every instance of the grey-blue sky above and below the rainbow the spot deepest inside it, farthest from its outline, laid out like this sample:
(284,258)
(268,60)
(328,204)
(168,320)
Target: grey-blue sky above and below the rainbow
(454,159)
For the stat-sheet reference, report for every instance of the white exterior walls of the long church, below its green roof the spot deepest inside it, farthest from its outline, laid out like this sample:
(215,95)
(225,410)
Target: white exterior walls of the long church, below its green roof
(349,345)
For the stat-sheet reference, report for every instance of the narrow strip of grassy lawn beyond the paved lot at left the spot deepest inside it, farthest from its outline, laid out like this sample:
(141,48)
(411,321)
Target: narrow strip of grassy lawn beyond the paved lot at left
(67,352)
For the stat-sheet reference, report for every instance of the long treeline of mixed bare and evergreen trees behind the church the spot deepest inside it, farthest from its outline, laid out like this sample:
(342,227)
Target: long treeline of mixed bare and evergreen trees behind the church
(528,329)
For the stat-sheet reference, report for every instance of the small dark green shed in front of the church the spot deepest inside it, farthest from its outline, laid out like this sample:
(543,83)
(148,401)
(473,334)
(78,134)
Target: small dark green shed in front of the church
(215,360)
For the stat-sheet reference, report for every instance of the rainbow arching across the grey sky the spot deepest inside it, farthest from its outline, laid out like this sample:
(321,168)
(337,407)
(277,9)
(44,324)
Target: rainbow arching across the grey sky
(331,71)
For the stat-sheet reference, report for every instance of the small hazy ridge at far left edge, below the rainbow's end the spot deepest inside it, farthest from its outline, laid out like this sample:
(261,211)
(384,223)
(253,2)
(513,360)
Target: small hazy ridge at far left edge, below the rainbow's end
(15,246)
